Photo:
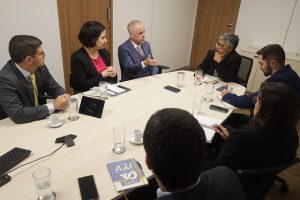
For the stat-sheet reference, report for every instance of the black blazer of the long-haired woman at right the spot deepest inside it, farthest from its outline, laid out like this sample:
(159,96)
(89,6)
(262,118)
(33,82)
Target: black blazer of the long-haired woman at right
(253,147)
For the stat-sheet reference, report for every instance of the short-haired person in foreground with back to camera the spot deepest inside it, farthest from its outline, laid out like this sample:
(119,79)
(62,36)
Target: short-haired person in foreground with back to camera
(174,143)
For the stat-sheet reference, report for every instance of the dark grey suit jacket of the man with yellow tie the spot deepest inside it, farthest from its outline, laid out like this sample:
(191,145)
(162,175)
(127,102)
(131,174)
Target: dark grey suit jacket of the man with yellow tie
(16,95)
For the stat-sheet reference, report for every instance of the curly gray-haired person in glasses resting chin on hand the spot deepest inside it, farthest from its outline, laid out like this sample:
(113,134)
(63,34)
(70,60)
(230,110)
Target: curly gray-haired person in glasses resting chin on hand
(223,61)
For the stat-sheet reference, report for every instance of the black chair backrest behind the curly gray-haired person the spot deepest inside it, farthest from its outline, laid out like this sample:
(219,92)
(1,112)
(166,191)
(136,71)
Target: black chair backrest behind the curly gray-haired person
(245,70)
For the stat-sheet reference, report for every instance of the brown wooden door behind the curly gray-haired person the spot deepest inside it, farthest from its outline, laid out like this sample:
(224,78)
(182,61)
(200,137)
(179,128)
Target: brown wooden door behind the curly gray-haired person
(214,17)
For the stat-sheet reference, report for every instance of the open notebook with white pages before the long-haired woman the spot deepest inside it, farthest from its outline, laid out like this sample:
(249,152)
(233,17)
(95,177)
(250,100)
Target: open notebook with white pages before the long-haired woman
(206,123)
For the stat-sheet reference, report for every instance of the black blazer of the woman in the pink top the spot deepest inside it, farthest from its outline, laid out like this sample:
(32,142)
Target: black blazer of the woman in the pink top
(84,74)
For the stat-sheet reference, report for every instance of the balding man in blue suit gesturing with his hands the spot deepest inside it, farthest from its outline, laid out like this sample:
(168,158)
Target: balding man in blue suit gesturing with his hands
(135,56)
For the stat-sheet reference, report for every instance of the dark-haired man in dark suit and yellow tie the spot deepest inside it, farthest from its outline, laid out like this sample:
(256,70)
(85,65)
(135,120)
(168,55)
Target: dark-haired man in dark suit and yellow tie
(25,79)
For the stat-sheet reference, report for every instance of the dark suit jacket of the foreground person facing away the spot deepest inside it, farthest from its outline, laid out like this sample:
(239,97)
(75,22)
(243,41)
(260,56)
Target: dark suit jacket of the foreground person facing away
(217,184)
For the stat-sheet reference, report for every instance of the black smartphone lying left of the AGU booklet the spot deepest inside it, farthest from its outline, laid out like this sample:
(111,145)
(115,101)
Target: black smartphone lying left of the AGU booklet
(88,188)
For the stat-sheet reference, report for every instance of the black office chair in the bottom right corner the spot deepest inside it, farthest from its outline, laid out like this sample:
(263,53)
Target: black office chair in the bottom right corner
(256,182)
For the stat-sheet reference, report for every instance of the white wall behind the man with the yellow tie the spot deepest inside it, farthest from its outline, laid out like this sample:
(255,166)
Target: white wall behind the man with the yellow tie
(32,17)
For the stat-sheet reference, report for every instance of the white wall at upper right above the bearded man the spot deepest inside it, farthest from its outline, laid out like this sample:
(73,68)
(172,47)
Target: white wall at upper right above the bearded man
(261,22)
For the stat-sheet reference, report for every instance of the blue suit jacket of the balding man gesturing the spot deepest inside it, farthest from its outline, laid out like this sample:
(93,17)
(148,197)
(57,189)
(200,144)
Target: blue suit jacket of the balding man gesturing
(130,61)
